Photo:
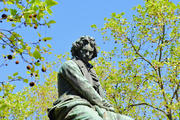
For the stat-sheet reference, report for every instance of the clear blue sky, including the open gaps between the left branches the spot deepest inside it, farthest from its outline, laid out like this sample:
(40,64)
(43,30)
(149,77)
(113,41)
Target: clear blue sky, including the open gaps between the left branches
(74,19)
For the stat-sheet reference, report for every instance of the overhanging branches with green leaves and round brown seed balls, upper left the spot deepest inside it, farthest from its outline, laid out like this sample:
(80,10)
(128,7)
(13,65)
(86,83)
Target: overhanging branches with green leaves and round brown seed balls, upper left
(29,15)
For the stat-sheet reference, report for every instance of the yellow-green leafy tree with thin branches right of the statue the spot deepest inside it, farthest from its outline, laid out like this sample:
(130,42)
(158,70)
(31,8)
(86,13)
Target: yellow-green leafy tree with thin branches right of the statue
(145,80)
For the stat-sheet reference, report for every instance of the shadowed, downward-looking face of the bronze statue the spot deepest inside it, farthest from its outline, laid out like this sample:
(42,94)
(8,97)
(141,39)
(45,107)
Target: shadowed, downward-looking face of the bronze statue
(86,53)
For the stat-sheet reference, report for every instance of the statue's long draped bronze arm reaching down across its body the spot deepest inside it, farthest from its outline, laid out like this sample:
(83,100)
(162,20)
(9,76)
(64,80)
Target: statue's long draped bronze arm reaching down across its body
(71,72)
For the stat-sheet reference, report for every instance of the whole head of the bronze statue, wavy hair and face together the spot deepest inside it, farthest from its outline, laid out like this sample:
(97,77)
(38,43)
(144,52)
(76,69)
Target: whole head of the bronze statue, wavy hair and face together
(84,48)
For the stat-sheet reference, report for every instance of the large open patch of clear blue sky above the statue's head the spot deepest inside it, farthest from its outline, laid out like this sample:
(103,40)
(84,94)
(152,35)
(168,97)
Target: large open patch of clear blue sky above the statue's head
(74,19)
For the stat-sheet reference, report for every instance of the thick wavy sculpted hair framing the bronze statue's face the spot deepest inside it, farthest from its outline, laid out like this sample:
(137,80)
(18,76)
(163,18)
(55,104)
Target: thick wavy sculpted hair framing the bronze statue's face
(78,45)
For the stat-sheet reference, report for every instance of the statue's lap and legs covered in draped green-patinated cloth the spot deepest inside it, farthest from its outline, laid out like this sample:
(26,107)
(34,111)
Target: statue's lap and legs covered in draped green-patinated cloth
(81,110)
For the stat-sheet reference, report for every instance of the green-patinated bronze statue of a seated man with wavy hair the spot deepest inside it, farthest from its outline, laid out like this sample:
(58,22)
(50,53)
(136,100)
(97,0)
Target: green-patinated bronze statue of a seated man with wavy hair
(80,93)
